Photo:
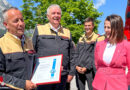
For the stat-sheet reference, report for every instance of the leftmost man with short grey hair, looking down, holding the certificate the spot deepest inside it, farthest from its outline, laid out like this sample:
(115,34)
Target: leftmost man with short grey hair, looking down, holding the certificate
(16,52)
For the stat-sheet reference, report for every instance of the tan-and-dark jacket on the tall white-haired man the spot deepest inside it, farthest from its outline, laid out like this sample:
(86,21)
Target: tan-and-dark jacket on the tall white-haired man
(48,42)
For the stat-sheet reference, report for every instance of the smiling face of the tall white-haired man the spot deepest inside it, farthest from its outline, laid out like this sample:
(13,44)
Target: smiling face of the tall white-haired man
(54,16)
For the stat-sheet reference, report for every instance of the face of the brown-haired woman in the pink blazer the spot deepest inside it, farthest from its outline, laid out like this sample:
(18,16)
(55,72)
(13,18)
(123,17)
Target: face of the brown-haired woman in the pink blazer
(107,28)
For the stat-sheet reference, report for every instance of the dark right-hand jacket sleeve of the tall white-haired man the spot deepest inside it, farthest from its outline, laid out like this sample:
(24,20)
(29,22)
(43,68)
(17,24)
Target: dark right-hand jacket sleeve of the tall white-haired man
(72,60)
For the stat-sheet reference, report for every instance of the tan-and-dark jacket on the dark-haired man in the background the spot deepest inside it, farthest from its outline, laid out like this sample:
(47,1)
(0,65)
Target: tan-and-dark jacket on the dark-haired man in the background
(85,52)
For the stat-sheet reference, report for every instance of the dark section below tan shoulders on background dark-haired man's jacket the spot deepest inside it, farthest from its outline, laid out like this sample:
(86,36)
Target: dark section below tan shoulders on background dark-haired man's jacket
(85,55)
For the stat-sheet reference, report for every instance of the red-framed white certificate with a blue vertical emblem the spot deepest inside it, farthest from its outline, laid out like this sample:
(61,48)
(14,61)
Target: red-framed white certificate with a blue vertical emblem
(47,70)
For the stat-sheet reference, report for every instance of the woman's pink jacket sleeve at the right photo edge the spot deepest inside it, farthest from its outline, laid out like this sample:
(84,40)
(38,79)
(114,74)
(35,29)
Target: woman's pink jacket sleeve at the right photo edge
(128,61)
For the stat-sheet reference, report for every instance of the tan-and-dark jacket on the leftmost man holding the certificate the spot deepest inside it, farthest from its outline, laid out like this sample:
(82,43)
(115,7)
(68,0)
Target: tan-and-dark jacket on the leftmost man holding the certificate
(16,63)
